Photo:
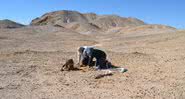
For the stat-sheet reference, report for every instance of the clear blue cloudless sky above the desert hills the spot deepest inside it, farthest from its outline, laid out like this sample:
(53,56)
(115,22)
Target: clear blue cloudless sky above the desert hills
(168,12)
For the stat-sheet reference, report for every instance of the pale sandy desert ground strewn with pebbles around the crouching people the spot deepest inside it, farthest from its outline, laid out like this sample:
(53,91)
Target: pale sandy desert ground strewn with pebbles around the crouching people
(31,59)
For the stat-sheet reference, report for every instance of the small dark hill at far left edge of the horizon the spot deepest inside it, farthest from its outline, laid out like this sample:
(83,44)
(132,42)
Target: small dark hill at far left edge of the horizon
(9,24)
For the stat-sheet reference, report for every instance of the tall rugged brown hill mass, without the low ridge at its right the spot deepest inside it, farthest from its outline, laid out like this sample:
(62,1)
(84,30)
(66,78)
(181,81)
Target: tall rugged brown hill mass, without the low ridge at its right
(90,19)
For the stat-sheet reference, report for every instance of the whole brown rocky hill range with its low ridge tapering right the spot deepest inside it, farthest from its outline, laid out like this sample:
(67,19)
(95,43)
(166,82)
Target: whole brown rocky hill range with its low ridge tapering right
(91,23)
